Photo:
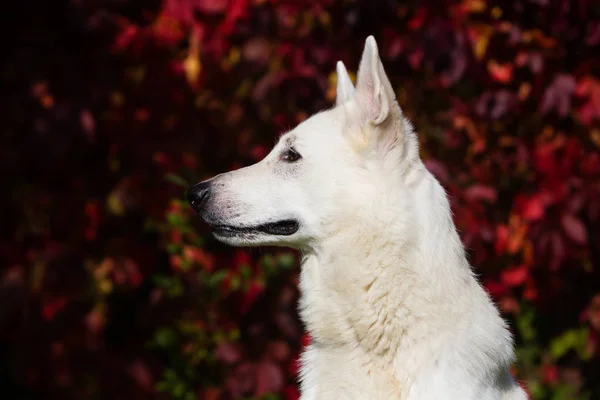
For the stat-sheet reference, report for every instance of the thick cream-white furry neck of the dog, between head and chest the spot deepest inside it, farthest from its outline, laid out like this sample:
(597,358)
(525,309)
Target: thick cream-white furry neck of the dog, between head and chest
(370,283)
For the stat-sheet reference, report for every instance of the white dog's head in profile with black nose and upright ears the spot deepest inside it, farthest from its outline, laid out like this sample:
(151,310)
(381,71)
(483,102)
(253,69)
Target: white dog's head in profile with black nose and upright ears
(323,176)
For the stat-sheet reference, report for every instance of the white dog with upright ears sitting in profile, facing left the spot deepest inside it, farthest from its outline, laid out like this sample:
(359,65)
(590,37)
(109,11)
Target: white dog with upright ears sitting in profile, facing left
(388,297)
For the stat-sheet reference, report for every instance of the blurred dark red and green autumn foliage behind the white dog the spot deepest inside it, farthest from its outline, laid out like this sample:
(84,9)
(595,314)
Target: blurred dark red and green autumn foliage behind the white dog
(111,288)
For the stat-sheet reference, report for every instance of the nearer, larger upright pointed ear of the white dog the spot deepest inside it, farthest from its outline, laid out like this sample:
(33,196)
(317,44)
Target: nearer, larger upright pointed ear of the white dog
(374,92)
